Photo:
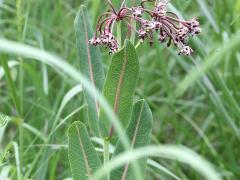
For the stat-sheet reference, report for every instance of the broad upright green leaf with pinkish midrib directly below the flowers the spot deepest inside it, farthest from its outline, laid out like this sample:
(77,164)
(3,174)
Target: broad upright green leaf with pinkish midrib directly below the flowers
(119,87)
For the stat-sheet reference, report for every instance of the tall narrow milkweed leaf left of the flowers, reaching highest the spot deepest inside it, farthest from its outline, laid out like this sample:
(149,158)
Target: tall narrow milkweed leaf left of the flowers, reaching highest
(90,64)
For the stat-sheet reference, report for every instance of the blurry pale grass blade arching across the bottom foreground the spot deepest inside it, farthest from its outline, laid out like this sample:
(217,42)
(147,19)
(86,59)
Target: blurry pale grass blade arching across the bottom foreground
(179,153)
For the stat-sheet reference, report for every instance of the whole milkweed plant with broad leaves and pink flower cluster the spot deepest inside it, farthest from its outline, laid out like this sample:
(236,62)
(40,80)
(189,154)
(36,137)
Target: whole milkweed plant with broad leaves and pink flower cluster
(149,22)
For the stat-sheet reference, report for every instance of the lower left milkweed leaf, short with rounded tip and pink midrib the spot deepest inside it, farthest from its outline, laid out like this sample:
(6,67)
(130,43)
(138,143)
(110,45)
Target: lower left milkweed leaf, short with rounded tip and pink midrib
(83,158)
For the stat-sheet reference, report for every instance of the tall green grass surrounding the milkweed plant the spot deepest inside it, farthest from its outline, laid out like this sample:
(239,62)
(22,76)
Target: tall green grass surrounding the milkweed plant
(195,101)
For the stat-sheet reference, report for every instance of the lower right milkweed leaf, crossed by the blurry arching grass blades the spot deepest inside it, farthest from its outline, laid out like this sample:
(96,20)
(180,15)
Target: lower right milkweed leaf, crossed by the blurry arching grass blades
(139,133)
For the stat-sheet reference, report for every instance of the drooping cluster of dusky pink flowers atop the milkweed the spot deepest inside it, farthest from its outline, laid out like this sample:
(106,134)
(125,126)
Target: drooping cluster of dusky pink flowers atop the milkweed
(153,21)
